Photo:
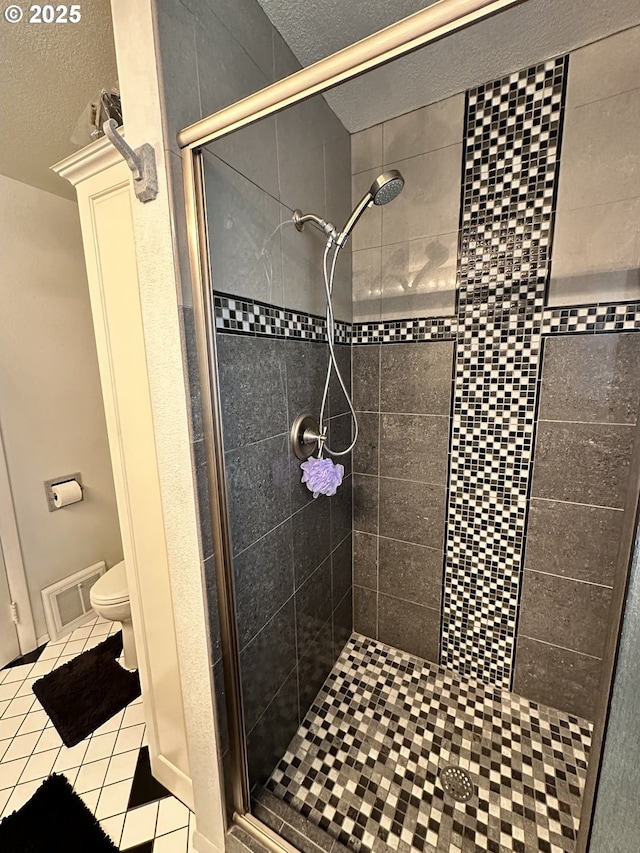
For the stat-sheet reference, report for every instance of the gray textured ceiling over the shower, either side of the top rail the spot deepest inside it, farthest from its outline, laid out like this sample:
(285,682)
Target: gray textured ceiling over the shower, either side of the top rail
(523,35)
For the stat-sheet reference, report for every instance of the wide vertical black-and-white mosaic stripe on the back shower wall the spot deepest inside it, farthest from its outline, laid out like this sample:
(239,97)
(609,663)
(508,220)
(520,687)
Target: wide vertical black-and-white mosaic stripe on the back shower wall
(512,138)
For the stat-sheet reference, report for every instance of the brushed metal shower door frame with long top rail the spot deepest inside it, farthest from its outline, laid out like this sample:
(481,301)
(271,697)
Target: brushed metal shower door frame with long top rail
(399,39)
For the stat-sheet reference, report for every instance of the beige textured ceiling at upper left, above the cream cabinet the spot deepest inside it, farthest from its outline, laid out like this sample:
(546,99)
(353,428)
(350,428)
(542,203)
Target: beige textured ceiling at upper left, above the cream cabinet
(50,72)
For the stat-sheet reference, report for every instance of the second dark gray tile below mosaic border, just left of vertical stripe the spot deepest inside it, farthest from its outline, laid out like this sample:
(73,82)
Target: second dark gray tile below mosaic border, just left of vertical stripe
(414,447)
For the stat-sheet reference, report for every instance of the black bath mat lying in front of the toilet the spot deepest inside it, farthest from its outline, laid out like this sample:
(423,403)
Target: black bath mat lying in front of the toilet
(86,692)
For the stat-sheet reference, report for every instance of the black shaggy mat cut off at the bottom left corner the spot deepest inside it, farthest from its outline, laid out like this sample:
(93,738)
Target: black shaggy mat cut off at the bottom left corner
(54,820)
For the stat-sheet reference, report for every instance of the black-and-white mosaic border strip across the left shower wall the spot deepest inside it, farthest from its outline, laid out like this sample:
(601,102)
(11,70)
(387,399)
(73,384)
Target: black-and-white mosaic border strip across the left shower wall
(244,316)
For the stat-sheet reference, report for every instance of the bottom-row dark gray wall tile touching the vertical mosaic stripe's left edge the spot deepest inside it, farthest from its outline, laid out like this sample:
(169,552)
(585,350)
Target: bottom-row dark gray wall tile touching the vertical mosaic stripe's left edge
(409,626)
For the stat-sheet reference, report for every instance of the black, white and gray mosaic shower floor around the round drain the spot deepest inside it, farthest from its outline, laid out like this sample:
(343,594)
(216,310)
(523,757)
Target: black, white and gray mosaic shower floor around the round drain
(364,764)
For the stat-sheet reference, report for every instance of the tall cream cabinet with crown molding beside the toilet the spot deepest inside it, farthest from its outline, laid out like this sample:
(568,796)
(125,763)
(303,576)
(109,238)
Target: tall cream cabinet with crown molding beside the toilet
(105,195)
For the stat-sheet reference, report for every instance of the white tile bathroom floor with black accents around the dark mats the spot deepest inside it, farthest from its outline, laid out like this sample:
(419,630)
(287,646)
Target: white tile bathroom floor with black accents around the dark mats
(109,769)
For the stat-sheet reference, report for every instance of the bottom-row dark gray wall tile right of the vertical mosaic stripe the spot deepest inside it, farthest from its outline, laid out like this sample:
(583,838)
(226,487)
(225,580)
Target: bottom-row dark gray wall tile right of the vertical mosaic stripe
(562,679)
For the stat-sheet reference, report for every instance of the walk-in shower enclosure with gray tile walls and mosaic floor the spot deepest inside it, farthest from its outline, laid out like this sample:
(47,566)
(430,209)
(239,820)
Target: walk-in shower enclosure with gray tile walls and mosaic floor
(416,660)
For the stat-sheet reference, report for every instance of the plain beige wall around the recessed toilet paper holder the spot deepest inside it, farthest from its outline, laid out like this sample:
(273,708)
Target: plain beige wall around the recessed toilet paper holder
(52,412)
